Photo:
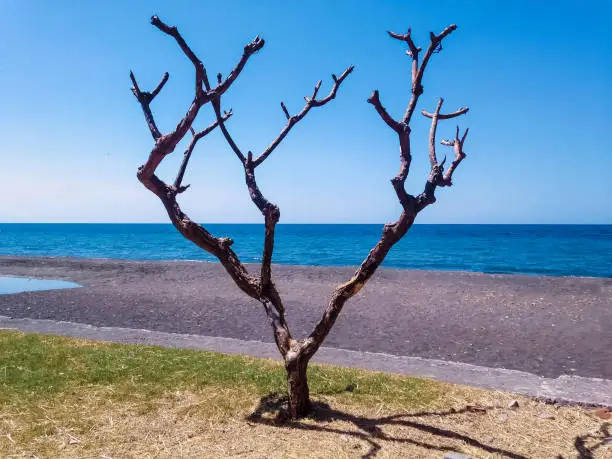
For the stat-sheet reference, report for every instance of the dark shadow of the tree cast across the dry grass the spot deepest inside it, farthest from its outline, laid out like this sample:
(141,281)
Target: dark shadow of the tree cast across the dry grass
(370,429)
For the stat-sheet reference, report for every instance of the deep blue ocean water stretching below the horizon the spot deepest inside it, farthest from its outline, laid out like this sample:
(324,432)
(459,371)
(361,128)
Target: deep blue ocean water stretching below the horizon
(556,250)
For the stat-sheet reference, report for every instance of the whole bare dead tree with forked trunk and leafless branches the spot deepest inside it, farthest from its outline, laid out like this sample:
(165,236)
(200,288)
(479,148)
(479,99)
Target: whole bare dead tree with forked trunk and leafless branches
(296,353)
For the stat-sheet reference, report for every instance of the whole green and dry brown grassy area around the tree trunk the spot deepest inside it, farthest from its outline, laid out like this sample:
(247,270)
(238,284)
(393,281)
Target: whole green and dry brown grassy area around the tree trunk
(74,398)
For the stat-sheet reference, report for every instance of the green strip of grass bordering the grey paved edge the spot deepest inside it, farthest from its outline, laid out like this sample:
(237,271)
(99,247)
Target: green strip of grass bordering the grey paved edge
(42,366)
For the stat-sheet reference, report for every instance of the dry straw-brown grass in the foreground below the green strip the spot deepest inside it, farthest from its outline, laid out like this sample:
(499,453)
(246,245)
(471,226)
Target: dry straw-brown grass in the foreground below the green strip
(222,422)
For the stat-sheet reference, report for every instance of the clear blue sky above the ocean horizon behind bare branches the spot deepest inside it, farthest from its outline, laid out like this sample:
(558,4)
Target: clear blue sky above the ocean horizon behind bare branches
(536,74)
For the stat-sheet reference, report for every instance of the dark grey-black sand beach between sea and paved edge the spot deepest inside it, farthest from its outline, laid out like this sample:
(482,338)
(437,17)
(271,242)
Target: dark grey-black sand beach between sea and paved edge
(543,325)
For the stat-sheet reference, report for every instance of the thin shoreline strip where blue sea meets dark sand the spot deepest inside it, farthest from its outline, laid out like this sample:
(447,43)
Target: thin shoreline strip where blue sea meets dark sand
(4,257)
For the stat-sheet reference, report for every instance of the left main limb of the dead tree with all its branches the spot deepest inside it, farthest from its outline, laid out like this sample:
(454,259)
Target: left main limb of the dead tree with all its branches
(262,288)
